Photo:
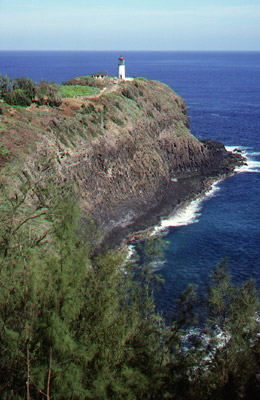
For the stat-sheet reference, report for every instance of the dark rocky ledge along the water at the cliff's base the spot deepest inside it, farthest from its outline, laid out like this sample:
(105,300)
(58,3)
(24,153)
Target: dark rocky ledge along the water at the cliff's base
(175,195)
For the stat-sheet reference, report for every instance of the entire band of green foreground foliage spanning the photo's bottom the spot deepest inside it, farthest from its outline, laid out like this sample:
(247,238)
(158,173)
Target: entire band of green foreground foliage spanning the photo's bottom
(74,325)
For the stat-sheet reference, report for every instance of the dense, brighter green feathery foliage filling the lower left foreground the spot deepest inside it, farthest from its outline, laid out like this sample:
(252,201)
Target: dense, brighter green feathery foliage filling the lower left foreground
(71,326)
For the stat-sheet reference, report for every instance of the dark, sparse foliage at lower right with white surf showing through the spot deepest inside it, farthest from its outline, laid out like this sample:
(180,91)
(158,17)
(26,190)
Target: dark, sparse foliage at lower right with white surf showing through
(219,359)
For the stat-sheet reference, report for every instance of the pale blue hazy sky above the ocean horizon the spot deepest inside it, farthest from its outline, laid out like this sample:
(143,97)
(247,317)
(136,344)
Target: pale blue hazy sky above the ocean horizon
(130,25)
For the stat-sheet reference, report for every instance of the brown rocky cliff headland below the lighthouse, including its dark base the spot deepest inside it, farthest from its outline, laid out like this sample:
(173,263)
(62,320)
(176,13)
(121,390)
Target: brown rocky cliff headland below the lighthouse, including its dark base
(129,150)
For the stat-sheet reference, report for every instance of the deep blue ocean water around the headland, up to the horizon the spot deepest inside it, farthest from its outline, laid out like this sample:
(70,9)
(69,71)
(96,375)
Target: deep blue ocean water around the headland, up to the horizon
(222,93)
